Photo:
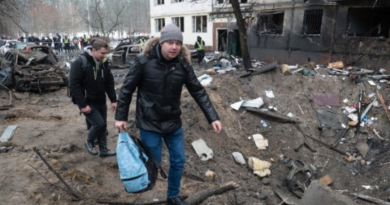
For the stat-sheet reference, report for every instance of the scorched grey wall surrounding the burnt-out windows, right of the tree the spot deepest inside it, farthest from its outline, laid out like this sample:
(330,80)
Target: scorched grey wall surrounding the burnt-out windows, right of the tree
(293,47)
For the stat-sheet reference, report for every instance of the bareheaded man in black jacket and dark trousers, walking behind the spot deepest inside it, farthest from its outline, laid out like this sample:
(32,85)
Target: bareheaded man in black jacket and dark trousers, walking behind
(90,80)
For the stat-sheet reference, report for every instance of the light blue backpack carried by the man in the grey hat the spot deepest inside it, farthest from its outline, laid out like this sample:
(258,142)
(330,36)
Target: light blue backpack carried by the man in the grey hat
(138,169)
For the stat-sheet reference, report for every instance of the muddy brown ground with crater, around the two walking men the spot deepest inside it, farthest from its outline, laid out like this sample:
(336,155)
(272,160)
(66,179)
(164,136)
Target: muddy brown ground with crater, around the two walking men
(53,125)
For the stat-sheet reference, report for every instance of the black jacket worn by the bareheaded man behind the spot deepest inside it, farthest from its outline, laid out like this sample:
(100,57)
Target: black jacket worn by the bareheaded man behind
(88,86)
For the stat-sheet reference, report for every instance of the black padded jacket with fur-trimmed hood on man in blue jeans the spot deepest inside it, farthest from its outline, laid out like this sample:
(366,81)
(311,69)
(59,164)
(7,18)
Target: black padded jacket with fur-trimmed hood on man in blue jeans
(159,87)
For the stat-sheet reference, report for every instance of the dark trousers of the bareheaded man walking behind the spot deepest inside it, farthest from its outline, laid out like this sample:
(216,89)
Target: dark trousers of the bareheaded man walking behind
(97,123)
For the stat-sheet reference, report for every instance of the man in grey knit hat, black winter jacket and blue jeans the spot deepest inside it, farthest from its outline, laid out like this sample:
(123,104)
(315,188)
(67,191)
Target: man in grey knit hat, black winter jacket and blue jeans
(159,77)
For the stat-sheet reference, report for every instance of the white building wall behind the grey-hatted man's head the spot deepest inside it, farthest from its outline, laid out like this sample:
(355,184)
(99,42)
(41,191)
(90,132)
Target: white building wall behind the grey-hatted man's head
(187,10)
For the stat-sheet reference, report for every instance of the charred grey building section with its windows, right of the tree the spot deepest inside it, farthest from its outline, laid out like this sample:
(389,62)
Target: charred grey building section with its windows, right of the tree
(296,31)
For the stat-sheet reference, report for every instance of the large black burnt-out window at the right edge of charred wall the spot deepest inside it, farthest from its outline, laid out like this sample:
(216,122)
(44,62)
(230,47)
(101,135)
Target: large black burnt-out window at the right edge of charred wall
(368,22)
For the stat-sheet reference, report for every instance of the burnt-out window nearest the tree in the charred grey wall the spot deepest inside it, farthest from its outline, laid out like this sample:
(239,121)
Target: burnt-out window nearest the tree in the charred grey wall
(271,23)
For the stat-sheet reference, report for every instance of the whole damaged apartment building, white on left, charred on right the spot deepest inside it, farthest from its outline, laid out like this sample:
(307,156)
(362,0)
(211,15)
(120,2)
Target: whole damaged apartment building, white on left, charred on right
(290,31)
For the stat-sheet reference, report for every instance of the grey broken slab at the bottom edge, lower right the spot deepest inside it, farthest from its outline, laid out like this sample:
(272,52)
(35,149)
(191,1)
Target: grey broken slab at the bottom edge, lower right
(317,192)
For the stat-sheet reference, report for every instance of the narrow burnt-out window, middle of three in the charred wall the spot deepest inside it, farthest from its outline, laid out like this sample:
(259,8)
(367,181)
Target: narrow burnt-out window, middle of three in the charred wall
(312,22)
